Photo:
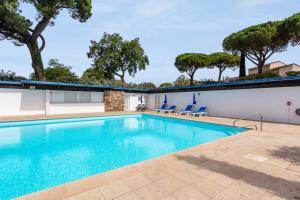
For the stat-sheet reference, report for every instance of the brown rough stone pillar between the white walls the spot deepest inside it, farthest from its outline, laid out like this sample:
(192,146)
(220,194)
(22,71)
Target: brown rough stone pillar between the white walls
(114,100)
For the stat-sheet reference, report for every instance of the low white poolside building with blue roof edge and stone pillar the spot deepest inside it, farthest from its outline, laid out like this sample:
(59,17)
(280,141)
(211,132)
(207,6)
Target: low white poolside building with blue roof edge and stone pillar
(276,99)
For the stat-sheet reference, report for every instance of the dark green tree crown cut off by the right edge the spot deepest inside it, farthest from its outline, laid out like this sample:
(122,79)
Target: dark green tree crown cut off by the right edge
(290,29)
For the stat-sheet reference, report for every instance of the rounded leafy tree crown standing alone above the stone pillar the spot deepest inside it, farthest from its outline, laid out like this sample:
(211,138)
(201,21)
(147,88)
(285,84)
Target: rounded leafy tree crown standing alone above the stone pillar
(116,56)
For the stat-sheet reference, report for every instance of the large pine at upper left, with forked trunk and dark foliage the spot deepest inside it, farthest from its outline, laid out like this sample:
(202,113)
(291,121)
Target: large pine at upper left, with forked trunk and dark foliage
(22,31)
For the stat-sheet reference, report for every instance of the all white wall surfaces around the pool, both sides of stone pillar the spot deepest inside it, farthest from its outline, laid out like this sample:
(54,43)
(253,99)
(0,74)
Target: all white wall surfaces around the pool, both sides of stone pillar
(271,102)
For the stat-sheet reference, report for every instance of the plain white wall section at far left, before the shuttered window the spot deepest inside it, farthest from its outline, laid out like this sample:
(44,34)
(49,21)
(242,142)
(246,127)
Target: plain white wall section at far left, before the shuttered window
(15,102)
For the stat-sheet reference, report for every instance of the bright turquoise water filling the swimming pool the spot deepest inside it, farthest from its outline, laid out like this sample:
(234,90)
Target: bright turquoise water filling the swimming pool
(35,155)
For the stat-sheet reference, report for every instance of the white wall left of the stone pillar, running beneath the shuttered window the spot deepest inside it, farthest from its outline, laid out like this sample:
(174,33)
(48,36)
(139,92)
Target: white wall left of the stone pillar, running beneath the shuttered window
(21,102)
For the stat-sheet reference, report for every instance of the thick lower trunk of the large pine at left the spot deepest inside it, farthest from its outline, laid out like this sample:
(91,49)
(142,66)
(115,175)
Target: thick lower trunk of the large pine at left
(37,62)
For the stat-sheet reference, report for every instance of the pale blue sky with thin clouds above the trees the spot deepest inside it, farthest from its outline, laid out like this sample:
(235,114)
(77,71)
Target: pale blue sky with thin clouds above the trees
(166,28)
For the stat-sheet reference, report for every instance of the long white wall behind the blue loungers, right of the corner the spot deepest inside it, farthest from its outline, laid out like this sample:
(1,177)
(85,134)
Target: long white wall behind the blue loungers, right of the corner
(271,102)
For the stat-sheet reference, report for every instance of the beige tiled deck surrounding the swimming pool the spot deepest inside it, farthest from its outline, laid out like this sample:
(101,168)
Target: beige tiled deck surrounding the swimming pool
(254,165)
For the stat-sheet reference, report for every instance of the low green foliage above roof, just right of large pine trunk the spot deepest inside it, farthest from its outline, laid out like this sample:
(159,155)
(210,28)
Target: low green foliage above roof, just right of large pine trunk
(57,72)
